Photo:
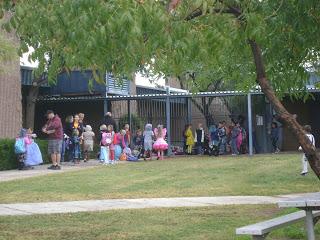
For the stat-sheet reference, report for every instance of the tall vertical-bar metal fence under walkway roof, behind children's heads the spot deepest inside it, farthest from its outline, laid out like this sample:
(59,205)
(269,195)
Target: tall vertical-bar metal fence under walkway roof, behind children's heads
(175,111)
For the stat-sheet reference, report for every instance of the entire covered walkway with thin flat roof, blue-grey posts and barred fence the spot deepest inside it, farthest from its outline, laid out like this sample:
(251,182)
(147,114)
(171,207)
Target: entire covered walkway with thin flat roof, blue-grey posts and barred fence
(174,111)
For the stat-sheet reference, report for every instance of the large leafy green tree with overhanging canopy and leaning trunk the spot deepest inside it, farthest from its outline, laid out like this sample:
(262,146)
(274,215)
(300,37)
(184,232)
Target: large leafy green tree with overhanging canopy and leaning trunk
(247,43)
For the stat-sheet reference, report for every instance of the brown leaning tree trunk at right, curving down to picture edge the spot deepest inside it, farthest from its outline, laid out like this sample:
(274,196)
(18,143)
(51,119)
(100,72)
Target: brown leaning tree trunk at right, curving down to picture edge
(312,155)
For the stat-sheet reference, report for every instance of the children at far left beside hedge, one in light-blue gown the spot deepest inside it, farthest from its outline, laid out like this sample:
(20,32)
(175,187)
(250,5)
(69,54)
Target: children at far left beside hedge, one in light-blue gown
(27,150)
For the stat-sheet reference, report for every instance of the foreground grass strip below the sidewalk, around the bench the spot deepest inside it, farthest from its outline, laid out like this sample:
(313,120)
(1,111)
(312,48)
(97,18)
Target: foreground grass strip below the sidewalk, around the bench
(166,223)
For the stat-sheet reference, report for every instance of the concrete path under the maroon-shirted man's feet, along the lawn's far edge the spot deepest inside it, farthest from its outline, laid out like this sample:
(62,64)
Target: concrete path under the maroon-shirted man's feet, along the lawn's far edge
(41,170)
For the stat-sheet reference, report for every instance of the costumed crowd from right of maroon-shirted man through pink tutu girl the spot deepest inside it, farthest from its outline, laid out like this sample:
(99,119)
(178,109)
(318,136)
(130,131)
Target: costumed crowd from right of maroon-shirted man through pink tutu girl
(79,140)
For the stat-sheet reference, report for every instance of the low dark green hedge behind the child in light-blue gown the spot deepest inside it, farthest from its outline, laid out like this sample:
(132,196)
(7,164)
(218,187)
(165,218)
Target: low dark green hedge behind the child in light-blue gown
(8,159)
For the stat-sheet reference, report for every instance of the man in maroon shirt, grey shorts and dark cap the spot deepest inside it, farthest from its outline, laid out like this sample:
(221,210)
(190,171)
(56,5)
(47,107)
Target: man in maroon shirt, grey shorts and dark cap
(54,129)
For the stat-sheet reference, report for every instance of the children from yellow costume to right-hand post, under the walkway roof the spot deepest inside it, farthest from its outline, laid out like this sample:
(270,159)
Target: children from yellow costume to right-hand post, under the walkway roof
(219,140)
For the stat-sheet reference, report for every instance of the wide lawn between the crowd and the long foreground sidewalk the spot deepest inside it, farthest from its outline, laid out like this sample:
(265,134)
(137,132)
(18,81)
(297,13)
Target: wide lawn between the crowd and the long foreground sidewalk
(177,177)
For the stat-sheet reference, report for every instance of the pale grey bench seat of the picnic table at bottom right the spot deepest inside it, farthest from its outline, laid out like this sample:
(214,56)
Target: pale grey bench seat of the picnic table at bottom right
(260,230)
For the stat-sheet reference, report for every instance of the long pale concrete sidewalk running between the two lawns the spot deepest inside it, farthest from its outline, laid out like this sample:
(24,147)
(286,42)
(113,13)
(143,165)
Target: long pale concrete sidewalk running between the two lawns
(114,204)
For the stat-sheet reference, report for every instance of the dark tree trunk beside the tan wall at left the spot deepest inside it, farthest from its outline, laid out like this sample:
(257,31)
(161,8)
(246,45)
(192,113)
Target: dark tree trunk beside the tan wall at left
(31,106)
